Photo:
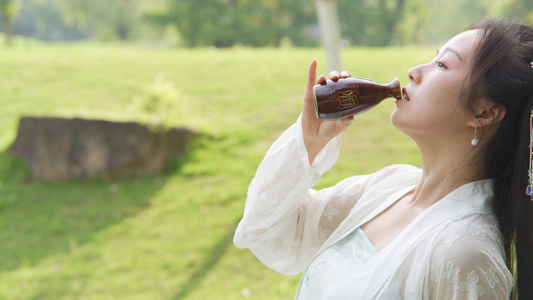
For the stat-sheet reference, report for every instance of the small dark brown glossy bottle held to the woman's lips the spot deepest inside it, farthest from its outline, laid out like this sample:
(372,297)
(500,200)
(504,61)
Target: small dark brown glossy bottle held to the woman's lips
(351,96)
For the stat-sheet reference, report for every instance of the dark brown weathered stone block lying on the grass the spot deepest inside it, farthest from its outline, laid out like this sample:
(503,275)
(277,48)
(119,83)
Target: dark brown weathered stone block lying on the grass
(66,149)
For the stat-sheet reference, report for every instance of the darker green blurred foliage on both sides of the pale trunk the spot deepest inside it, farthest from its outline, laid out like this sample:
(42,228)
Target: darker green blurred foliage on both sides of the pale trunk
(224,23)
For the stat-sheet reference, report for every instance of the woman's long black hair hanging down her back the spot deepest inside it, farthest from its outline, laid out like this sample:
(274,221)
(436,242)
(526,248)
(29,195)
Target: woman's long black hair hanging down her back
(502,73)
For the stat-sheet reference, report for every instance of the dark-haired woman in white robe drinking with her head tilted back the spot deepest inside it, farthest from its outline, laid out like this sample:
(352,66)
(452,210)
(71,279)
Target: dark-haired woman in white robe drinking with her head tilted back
(458,228)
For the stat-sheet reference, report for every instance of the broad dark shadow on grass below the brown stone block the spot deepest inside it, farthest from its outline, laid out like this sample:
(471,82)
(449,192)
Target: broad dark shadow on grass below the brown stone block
(39,219)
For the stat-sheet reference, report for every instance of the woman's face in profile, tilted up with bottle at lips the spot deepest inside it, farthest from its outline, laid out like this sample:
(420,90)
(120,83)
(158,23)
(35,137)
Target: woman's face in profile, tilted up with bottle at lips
(431,109)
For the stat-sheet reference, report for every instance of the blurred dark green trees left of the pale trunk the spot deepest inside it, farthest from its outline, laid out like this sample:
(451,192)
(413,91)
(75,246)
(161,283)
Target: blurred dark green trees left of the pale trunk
(224,23)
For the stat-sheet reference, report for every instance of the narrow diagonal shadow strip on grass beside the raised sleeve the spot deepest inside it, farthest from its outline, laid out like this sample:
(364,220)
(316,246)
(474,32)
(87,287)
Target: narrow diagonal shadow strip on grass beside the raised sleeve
(216,253)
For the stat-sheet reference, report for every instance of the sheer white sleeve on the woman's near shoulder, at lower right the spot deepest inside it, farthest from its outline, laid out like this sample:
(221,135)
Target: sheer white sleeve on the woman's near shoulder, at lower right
(468,263)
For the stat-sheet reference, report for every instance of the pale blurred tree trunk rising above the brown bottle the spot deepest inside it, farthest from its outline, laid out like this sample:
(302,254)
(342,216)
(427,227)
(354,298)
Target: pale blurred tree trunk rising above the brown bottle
(330,33)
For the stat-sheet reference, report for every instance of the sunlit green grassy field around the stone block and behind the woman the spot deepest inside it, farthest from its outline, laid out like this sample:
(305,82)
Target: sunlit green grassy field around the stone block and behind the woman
(166,236)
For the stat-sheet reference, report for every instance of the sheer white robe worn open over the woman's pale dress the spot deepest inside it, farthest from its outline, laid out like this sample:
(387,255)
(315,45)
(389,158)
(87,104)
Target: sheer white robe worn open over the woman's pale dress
(452,250)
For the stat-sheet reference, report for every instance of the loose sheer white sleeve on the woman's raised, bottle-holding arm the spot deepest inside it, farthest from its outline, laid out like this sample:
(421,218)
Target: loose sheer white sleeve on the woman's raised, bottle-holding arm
(285,221)
